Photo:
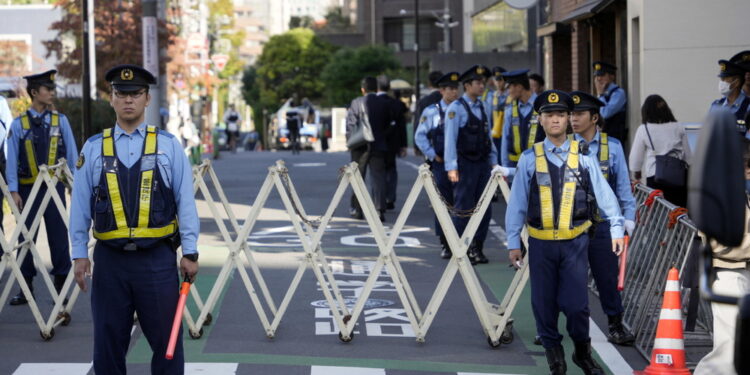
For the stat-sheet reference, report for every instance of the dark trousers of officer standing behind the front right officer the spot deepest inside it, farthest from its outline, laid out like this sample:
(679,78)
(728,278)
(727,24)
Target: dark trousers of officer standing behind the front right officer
(605,268)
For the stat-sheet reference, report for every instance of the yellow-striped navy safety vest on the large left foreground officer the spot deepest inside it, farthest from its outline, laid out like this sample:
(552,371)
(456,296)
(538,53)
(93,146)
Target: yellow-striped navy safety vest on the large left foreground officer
(142,214)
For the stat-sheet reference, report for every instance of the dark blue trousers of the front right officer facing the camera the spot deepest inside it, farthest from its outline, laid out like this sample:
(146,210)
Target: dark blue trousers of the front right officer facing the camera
(559,275)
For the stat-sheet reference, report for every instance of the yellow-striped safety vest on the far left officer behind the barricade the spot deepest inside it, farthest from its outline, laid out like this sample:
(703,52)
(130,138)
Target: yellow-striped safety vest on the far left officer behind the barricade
(34,144)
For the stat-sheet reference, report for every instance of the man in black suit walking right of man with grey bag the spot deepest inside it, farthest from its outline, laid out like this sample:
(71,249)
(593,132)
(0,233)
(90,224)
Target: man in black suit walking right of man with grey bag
(395,139)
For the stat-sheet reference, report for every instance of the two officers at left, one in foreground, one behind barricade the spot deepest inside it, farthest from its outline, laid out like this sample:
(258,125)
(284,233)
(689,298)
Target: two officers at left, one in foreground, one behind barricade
(134,182)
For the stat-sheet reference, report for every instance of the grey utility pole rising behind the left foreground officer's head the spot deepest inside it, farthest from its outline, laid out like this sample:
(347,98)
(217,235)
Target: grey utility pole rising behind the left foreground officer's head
(151,58)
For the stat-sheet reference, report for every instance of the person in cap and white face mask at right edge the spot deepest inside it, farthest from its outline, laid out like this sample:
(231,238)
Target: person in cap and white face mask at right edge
(731,80)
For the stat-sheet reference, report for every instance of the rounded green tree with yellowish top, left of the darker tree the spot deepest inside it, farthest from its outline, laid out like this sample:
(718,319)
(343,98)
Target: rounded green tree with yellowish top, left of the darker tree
(291,64)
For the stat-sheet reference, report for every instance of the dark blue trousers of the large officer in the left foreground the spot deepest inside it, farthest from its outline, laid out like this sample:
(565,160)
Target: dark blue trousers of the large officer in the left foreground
(145,282)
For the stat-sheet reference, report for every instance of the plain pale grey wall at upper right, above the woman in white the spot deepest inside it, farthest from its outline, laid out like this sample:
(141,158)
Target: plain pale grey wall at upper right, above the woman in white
(673,49)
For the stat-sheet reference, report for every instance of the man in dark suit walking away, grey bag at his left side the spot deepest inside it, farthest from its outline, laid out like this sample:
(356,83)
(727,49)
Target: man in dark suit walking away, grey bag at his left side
(372,154)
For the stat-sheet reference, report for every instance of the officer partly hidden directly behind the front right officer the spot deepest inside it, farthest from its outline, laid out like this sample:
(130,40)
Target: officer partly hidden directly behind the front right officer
(604,264)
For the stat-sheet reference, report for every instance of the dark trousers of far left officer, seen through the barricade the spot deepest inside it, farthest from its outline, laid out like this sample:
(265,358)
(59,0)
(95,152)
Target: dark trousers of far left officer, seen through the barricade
(57,233)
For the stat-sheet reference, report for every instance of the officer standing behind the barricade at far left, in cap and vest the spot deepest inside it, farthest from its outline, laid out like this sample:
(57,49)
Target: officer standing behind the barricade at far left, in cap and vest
(37,137)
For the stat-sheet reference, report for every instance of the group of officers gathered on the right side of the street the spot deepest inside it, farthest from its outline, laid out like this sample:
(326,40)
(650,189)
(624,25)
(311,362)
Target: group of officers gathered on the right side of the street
(571,190)
